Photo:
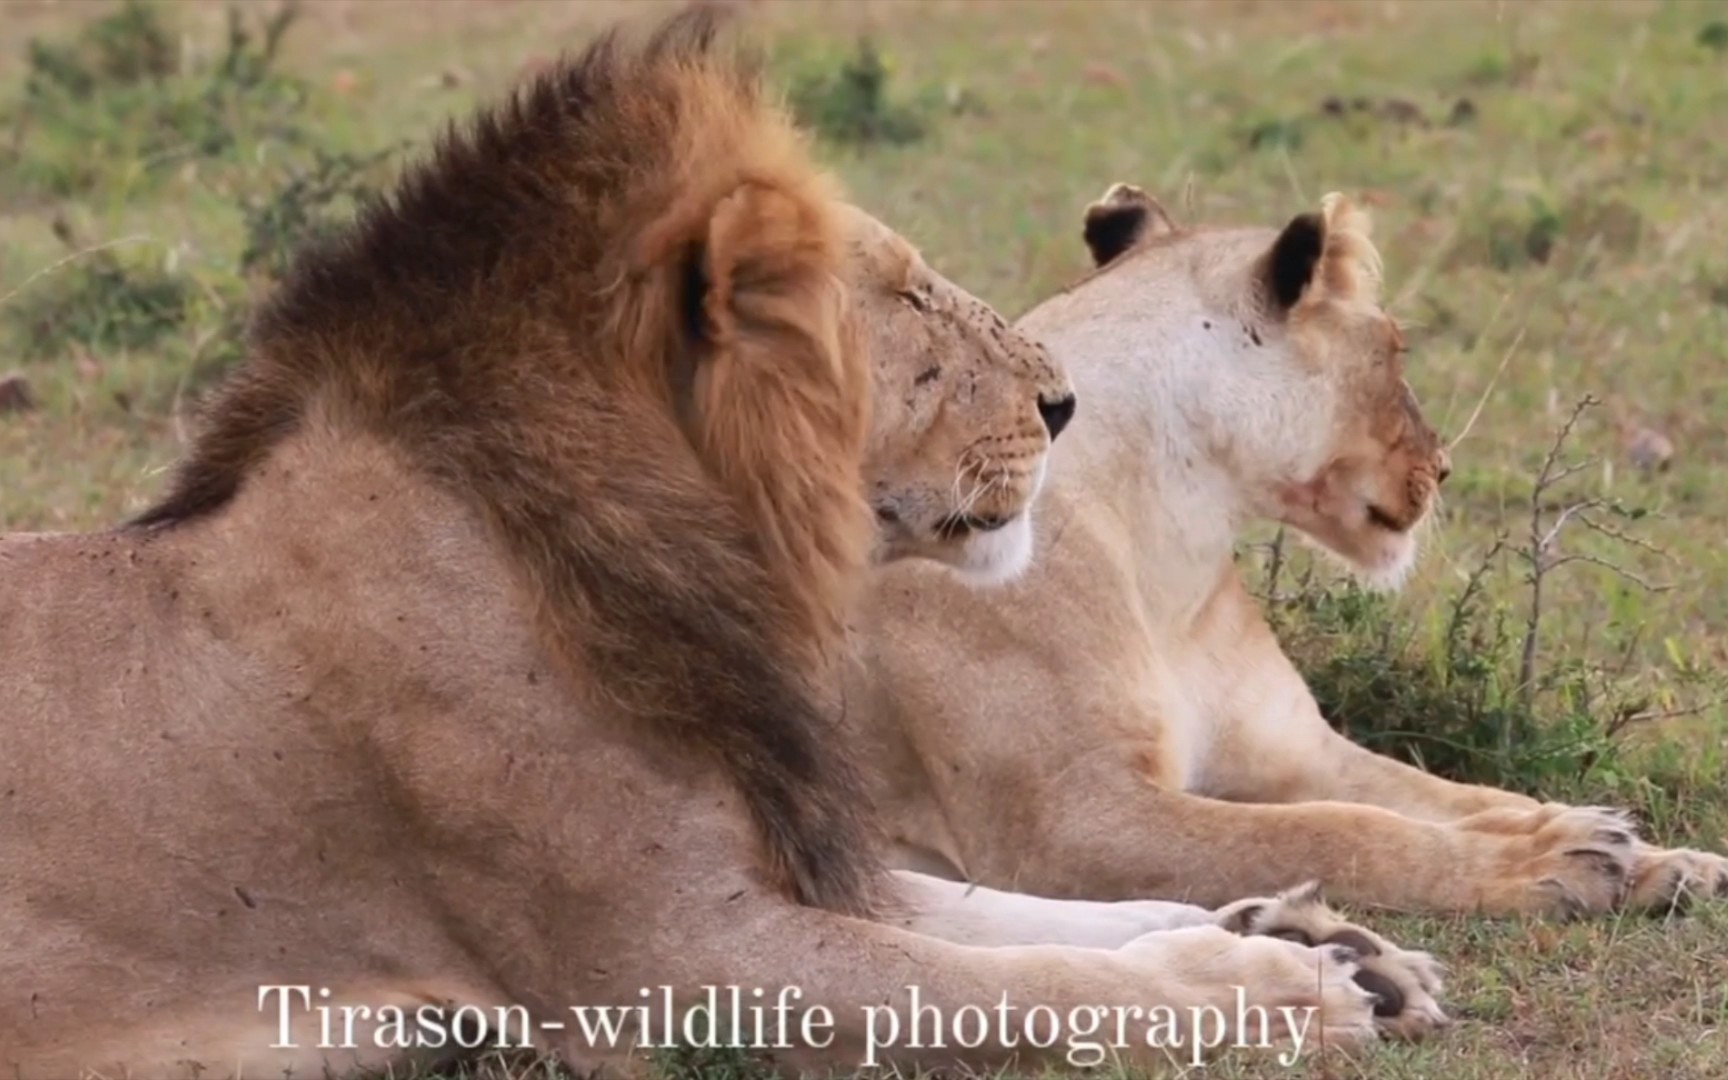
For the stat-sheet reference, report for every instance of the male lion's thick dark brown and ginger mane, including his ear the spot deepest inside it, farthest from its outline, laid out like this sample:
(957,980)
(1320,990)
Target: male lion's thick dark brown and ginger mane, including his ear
(521,319)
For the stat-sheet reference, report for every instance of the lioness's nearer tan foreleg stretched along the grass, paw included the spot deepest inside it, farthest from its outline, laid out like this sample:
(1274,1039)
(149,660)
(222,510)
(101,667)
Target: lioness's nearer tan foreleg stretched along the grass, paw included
(1105,830)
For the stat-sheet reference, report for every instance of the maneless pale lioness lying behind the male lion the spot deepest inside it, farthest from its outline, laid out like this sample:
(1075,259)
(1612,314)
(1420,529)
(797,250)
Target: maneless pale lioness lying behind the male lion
(1121,721)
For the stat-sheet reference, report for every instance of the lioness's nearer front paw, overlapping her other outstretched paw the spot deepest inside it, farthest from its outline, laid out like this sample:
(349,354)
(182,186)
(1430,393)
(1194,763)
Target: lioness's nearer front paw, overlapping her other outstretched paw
(1558,860)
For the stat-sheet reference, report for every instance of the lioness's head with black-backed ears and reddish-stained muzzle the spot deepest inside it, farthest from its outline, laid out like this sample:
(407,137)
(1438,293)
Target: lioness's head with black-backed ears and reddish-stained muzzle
(1290,369)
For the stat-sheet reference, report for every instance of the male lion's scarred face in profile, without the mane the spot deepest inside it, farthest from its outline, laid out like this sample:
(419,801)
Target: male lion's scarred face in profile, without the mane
(965,412)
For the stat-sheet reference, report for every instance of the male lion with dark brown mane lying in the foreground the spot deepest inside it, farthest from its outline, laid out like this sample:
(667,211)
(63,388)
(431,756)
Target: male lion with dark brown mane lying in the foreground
(483,659)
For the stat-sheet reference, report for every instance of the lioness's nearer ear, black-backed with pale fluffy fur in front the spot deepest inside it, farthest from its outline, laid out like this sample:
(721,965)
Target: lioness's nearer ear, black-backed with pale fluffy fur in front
(1326,255)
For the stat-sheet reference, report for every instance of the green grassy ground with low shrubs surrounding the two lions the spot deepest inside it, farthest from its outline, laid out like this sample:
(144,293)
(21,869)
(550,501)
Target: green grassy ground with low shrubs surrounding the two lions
(1547,182)
